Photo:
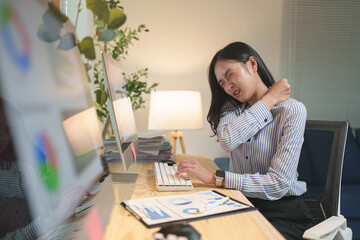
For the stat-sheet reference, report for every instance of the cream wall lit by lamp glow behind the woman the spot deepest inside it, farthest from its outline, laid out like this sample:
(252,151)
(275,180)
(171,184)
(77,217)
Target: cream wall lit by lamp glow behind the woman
(184,35)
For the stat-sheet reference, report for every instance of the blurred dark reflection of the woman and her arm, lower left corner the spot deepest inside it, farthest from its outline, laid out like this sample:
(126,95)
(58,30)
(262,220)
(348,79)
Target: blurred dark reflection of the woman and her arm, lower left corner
(16,221)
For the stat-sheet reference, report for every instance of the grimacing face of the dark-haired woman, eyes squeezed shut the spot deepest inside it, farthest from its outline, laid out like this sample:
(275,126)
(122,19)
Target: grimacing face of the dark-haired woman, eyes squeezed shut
(238,79)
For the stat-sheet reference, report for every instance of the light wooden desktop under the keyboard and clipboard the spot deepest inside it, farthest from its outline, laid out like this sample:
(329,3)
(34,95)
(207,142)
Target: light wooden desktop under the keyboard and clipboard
(122,225)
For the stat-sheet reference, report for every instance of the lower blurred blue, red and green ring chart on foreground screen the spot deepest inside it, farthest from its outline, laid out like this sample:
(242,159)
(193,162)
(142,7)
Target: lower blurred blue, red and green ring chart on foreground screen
(47,162)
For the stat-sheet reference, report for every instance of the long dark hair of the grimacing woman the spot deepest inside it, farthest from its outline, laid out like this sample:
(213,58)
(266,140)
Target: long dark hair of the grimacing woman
(240,52)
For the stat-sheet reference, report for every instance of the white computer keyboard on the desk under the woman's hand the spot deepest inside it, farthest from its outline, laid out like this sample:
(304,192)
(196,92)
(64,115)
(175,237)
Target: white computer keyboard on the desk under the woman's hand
(167,180)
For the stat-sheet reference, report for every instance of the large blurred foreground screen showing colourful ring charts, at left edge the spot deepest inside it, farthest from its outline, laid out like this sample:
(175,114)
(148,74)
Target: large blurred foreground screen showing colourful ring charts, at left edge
(54,128)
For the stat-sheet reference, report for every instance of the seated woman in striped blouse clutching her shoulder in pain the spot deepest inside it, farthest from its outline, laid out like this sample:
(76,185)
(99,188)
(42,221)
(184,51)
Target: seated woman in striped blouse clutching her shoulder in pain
(263,128)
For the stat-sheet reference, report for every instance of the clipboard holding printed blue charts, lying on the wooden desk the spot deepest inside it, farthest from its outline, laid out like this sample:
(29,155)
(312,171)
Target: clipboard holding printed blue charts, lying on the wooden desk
(163,210)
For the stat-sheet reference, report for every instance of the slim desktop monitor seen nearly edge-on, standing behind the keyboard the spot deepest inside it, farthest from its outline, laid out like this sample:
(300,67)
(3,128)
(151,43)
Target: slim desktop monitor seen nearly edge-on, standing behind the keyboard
(120,110)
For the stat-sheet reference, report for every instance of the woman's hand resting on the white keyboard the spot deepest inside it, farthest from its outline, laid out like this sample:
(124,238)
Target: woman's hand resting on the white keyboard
(193,166)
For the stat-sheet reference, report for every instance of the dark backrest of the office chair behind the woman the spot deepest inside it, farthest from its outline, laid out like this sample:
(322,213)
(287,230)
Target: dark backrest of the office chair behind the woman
(320,166)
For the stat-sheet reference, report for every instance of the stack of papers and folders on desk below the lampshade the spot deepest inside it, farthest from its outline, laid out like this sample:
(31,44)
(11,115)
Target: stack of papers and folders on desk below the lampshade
(154,147)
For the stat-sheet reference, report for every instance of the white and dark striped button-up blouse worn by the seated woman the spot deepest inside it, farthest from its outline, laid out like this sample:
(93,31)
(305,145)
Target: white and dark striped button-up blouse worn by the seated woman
(265,148)
